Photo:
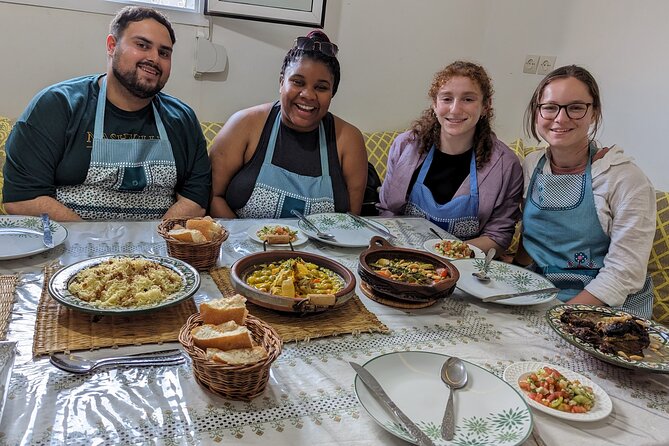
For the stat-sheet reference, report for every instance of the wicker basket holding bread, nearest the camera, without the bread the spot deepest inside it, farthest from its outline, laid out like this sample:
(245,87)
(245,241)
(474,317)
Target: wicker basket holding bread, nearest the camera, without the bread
(234,382)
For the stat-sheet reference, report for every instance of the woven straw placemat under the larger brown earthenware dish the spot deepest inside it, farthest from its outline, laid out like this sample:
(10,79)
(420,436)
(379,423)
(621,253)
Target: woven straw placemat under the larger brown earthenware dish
(352,317)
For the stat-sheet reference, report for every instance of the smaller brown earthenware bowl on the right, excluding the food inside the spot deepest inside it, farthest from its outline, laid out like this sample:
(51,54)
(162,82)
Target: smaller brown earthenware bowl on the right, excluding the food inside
(381,248)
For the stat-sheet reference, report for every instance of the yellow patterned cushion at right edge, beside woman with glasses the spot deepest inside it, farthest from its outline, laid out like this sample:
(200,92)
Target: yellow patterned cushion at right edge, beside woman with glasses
(658,264)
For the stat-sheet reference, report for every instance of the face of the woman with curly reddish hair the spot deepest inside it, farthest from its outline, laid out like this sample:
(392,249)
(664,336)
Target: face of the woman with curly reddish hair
(458,106)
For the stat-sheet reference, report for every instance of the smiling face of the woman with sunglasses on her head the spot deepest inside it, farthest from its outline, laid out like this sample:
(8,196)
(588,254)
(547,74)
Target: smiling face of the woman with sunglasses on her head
(306,93)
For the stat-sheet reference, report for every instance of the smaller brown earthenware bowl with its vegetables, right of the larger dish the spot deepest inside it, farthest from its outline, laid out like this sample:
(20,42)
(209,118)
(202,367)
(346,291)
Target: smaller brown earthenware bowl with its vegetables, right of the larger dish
(406,274)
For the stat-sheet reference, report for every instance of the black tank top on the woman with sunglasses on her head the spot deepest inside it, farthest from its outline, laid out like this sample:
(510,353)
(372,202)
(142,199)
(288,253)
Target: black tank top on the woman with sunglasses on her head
(296,152)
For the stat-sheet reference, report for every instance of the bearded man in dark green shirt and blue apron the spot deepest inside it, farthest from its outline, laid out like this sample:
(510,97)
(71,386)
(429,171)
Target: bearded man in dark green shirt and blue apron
(111,146)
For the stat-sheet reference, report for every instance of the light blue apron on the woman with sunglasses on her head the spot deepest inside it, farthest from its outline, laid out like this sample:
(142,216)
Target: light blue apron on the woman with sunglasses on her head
(278,191)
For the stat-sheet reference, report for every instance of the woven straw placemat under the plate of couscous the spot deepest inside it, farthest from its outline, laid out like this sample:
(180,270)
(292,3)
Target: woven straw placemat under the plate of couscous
(61,329)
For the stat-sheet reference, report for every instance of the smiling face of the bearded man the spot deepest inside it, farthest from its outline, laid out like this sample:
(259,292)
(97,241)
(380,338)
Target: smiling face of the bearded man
(142,58)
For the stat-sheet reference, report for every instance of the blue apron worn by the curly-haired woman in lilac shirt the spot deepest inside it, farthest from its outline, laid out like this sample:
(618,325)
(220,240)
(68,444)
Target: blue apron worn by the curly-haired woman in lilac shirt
(459,216)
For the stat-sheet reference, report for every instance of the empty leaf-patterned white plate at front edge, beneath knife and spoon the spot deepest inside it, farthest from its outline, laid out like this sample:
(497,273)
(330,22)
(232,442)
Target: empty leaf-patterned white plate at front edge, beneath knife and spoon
(487,410)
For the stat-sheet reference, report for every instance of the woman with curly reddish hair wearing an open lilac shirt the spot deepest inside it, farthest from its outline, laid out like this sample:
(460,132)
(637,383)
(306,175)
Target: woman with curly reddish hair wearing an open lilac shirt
(450,167)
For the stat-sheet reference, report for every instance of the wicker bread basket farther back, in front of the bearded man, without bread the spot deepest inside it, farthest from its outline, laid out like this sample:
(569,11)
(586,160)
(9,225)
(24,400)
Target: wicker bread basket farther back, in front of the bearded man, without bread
(201,255)
